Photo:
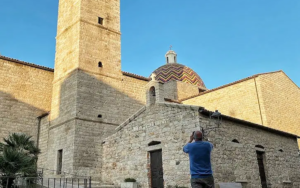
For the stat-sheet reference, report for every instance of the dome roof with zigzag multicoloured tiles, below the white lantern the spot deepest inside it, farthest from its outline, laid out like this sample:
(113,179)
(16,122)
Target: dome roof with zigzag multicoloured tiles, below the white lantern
(175,71)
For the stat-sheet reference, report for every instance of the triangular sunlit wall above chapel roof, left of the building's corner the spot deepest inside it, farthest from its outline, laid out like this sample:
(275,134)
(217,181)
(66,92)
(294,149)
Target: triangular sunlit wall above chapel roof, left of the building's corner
(238,100)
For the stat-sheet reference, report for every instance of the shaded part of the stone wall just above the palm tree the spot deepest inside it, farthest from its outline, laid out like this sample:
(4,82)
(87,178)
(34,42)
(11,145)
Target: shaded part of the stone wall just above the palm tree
(17,116)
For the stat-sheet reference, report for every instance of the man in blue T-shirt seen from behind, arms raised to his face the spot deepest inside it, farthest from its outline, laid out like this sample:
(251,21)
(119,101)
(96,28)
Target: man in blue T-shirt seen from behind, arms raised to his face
(200,163)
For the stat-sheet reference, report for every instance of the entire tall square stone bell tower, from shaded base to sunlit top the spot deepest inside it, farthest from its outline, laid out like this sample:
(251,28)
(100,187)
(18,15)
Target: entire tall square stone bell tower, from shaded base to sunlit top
(87,77)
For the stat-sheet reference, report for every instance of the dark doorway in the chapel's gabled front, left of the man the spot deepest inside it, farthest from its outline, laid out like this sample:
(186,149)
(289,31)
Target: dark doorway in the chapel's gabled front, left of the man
(157,180)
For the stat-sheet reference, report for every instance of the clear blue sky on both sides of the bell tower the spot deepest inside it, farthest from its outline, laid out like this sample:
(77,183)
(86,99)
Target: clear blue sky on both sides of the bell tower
(222,40)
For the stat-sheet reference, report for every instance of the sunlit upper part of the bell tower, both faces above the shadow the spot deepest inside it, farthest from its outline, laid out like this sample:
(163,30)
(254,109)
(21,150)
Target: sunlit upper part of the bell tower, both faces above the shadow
(88,37)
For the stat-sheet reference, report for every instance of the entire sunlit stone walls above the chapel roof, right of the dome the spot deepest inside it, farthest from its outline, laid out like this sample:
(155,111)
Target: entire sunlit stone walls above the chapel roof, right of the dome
(270,99)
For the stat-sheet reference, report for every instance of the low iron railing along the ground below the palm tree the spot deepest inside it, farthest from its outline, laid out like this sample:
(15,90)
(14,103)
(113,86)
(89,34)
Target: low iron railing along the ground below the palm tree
(40,182)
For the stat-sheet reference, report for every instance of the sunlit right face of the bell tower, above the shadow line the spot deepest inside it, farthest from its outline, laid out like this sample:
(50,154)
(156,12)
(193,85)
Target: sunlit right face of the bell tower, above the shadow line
(100,43)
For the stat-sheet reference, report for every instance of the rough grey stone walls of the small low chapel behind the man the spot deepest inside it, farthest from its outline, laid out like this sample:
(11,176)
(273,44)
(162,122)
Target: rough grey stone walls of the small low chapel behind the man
(126,153)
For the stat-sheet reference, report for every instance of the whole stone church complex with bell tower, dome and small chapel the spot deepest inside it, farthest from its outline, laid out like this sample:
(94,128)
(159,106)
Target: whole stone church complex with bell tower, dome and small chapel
(90,118)
